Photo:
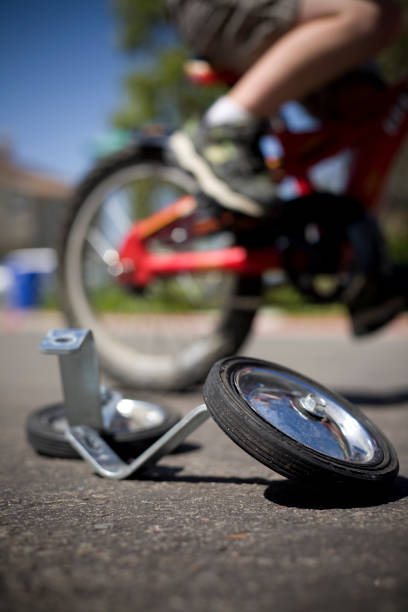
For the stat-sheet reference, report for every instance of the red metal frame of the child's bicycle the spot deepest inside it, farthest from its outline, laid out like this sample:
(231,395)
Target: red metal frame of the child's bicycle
(374,143)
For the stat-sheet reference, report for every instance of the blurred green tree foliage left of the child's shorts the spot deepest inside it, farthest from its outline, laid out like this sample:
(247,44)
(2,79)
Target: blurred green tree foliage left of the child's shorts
(158,90)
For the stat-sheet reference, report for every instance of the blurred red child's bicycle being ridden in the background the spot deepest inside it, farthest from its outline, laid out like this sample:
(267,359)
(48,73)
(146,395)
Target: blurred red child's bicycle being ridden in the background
(186,275)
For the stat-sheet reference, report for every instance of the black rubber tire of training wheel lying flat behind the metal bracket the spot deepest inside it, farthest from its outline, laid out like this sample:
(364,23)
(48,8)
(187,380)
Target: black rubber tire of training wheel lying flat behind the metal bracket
(44,431)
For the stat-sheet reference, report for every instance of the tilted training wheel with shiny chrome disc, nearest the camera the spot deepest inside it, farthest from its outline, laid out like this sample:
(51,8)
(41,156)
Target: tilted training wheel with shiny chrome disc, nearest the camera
(296,426)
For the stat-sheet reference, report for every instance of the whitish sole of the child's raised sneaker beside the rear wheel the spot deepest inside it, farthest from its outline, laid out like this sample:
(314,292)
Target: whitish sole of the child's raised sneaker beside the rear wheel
(187,156)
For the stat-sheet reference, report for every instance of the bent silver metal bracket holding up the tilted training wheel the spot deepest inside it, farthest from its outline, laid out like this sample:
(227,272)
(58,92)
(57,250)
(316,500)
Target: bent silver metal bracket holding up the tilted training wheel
(89,407)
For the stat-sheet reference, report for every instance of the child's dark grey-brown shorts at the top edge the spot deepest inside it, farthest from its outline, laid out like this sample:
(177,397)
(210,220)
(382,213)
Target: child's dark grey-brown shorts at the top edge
(231,34)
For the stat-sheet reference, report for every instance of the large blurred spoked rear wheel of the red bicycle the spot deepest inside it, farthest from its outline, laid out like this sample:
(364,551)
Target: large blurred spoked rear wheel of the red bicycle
(167,336)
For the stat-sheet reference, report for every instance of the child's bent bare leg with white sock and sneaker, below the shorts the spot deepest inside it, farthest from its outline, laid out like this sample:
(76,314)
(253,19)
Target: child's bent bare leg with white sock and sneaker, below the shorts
(328,38)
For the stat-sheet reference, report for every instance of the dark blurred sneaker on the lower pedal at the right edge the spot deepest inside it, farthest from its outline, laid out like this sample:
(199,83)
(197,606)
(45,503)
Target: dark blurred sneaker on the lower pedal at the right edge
(377,302)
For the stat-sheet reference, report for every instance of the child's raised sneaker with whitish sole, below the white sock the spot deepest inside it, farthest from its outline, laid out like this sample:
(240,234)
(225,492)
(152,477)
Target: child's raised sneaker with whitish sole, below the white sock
(228,165)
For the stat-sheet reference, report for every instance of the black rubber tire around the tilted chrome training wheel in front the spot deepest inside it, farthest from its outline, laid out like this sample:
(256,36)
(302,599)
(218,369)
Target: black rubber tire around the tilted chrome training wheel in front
(283,453)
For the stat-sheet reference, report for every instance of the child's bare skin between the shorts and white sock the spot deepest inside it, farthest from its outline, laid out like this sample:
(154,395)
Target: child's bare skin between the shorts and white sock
(329,38)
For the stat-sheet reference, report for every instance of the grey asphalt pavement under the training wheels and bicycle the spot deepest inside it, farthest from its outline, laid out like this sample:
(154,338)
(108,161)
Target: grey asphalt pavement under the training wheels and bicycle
(207,528)
